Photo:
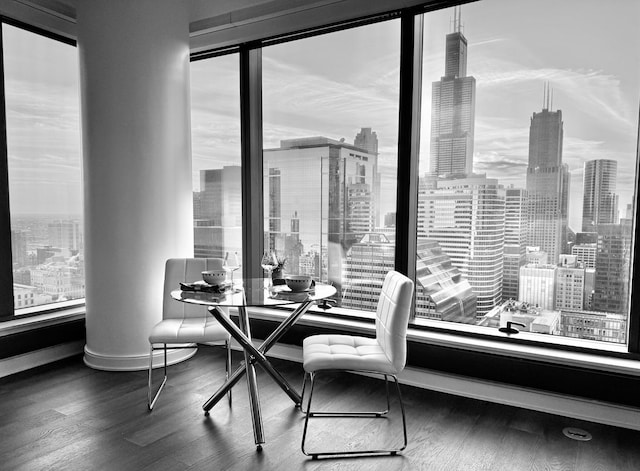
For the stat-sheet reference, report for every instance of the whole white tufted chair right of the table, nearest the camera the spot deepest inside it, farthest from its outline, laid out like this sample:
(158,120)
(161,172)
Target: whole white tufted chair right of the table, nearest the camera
(384,355)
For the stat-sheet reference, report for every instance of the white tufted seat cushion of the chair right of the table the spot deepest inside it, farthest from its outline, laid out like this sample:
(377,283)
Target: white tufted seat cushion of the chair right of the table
(344,352)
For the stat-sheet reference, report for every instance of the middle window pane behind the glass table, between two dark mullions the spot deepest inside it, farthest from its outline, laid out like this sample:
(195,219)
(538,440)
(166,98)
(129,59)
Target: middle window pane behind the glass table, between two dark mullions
(330,140)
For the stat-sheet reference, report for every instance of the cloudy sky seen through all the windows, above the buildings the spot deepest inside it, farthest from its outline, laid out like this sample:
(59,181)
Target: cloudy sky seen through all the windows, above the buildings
(333,85)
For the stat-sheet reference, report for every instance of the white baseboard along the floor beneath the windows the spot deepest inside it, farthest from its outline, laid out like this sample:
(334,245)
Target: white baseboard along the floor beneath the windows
(566,406)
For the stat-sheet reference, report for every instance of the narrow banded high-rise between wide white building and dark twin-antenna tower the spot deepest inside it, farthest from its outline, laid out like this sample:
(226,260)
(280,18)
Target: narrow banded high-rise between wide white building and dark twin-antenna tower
(515,240)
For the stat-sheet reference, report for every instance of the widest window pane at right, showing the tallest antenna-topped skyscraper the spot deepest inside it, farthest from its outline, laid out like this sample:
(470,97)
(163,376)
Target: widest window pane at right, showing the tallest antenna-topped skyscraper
(528,166)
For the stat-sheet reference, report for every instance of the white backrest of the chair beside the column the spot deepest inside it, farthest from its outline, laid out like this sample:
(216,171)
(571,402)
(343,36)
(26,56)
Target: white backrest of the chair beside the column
(184,270)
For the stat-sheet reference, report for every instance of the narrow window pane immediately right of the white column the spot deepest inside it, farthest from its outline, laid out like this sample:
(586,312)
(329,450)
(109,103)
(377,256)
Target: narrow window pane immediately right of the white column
(215,124)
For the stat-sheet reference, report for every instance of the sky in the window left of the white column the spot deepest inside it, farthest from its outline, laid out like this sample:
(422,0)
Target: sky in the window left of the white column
(43,128)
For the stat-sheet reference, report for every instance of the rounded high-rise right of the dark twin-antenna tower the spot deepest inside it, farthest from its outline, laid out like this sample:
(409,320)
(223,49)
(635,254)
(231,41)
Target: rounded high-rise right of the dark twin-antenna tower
(599,201)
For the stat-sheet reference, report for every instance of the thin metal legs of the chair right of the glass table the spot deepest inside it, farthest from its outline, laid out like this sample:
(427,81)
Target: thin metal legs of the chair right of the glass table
(309,414)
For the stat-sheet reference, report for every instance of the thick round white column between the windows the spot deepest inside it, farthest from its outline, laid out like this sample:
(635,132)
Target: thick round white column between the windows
(134,69)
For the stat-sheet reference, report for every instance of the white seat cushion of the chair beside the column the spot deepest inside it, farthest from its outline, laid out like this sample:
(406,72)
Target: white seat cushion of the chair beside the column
(188,330)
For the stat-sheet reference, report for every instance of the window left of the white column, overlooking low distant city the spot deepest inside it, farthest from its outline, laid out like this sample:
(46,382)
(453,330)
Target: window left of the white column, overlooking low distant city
(43,151)
